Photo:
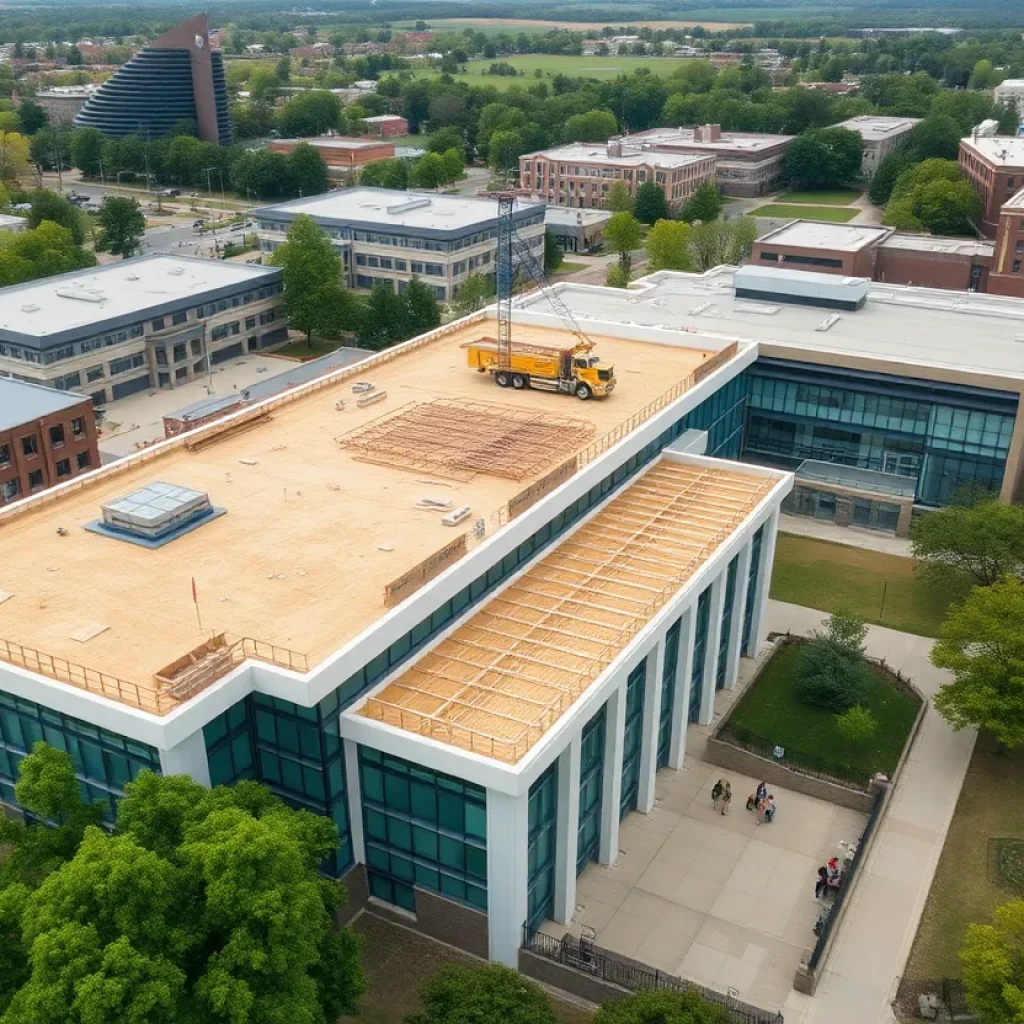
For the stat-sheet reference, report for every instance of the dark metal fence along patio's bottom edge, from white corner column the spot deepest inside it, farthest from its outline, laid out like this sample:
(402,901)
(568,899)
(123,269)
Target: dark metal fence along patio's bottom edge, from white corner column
(583,956)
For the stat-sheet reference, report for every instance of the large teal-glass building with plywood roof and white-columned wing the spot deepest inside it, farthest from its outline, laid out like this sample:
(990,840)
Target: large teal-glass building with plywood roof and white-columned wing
(371,685)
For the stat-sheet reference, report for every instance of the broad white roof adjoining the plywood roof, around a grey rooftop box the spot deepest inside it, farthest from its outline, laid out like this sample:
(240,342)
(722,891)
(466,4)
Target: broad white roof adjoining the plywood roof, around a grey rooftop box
(927,327)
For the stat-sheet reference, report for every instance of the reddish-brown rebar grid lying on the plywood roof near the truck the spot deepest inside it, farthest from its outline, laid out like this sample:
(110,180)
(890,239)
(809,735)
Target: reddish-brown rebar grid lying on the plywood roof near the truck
(459,439)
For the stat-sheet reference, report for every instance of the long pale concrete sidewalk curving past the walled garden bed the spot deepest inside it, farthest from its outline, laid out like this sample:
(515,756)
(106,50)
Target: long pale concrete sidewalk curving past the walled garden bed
(878,931)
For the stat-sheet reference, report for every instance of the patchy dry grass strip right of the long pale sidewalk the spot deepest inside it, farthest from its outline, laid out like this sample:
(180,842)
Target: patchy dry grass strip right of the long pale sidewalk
(991,806)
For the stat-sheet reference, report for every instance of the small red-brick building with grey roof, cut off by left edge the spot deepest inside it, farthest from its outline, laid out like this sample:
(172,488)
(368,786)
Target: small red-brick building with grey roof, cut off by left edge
(47,438)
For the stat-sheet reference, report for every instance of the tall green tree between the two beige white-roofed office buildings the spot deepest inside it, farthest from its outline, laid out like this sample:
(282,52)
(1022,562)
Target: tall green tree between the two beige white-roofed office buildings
(315,298)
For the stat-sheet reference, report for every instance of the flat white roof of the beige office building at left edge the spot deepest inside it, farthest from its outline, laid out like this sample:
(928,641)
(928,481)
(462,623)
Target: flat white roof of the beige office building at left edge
(130,288)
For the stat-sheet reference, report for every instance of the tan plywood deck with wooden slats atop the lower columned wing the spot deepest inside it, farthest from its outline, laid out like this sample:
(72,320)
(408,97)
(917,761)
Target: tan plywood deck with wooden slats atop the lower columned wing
(510,672)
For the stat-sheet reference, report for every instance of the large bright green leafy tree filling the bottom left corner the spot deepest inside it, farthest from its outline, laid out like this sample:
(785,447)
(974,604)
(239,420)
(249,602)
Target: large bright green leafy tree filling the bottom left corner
(206,905)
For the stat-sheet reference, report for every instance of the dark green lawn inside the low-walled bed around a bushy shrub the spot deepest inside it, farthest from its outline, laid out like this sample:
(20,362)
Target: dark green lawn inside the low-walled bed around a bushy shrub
(772,710)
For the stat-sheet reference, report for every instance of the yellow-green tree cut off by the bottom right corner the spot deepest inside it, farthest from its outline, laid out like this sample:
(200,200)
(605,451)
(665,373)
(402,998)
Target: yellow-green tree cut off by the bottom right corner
(994,973)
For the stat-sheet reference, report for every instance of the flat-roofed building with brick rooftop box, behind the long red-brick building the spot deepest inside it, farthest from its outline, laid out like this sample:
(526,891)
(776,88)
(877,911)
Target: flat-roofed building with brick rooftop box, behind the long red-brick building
(746,163)
